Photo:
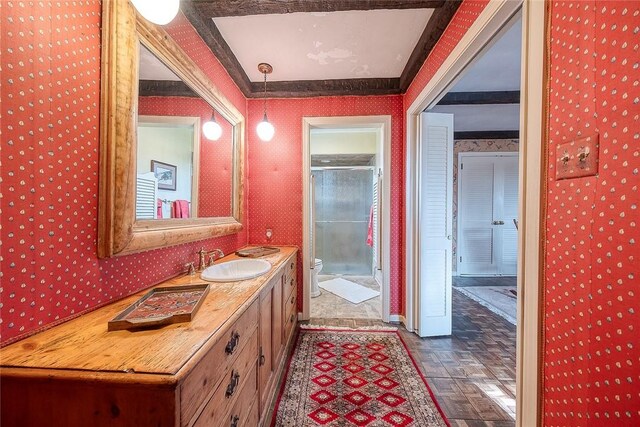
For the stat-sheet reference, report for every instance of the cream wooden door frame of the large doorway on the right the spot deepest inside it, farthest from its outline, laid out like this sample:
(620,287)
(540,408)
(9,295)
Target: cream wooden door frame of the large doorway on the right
(489,23)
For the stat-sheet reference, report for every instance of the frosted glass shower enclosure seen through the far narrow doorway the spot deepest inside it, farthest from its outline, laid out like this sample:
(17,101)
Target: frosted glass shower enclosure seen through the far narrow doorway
(343,199)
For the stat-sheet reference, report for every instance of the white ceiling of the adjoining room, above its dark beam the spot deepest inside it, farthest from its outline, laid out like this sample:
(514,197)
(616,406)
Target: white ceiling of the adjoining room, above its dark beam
(498,68)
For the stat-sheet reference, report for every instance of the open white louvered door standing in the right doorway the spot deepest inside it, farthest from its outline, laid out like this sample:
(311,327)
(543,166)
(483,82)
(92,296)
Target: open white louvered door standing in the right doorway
(435,180)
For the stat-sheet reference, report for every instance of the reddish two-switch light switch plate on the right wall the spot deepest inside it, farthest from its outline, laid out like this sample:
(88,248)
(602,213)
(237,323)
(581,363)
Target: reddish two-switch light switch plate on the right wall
(577,158)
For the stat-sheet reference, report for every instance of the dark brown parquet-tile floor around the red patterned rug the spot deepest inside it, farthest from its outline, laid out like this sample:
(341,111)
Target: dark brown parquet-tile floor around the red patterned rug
(472,372)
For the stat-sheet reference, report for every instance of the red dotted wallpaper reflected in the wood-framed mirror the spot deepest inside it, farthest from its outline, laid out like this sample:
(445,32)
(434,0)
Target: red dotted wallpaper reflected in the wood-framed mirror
(214,188)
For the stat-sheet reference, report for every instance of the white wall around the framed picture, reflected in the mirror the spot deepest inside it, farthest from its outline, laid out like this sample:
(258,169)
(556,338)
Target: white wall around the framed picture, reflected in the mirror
(168,144)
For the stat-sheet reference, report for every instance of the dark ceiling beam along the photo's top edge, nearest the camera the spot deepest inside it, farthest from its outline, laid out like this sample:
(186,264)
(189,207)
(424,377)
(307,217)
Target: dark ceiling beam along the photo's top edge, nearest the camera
(217,8)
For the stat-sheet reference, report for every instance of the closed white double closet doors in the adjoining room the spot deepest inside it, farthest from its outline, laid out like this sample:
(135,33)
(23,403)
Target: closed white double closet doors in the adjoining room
(487,206)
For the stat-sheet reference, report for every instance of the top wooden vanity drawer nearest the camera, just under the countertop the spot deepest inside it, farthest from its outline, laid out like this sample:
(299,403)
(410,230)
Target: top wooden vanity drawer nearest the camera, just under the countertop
(203,379)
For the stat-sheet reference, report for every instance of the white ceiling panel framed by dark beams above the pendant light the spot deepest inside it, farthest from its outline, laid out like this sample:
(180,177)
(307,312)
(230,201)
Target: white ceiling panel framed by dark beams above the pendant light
(324,46)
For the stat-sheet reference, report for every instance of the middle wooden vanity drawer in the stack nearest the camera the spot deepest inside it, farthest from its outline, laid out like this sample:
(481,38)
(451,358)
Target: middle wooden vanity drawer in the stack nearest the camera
(226,395)
